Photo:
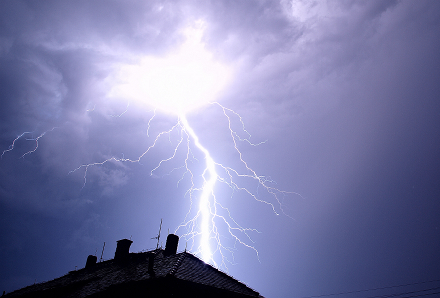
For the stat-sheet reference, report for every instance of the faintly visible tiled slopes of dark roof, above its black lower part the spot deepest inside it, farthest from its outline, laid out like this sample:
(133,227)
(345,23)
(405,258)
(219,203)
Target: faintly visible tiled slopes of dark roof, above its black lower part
(182,266)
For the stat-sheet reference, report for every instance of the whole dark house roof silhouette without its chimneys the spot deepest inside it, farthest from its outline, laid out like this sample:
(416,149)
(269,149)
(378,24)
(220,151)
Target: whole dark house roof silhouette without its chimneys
(145,274)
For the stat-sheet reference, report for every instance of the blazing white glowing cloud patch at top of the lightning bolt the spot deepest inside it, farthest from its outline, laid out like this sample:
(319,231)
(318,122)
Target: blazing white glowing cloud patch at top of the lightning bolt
(180,81)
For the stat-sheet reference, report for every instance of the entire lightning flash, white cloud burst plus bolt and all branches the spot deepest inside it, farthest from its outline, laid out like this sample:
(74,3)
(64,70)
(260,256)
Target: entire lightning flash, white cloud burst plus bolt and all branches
(187,80)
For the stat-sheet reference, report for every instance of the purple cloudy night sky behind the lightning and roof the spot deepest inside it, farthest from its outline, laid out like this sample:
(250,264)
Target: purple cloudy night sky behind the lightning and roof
(340,100)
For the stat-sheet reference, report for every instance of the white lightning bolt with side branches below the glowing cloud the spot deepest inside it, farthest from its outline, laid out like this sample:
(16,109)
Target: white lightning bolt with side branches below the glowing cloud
(203,221)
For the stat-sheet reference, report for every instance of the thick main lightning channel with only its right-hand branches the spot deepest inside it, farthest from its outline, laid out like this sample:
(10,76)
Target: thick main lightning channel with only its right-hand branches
(204,224)
